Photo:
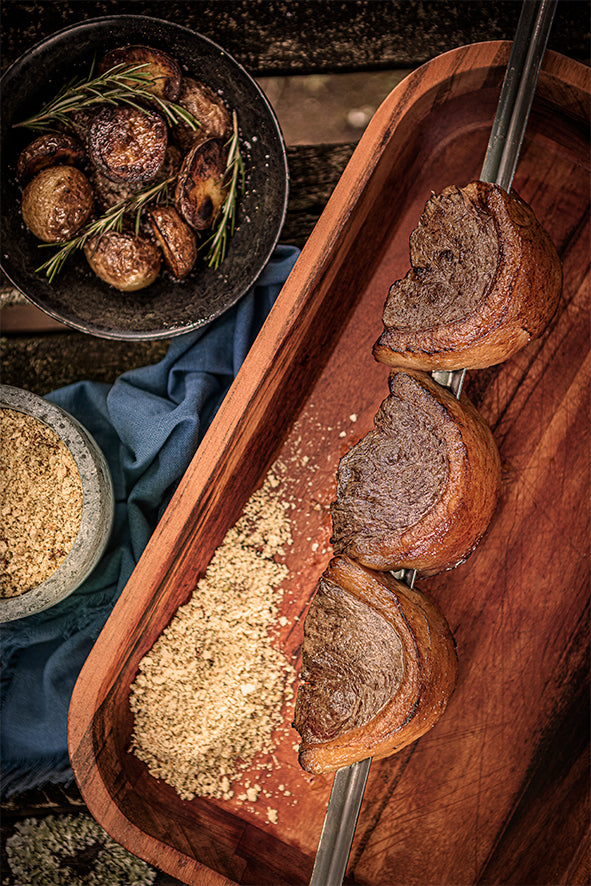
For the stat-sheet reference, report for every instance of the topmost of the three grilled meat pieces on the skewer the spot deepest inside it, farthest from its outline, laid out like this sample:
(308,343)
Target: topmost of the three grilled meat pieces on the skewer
(485,280)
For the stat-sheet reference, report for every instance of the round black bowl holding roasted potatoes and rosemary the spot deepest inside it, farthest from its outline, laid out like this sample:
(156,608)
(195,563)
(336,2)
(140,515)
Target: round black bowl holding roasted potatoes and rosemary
(167,308)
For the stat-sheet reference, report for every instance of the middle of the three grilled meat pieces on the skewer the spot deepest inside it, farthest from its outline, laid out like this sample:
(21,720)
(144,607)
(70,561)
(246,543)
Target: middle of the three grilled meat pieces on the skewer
(419,490)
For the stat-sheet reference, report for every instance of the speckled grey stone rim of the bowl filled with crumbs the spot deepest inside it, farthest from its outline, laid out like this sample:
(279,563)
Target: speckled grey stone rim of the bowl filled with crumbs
(98,495)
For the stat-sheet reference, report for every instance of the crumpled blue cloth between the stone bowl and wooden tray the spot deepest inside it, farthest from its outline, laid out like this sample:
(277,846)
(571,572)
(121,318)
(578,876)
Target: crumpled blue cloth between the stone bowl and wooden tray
(148,424)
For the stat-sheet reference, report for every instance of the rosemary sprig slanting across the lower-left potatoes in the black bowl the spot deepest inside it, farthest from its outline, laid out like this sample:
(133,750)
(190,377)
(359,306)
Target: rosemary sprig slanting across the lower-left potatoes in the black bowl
(111,220)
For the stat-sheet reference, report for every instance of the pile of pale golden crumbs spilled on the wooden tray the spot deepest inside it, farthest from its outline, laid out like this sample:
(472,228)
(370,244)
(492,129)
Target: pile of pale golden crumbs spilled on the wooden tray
(210,693)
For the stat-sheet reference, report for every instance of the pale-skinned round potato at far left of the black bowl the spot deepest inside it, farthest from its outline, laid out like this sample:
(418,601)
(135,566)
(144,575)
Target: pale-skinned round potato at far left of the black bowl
(56,203)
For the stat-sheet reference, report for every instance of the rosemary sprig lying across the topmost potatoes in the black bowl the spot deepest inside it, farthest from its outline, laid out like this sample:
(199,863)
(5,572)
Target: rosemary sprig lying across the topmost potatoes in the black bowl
(121,84)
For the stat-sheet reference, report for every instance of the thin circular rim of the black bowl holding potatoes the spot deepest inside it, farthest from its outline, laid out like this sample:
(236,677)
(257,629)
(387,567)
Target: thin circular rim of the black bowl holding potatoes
(94,327)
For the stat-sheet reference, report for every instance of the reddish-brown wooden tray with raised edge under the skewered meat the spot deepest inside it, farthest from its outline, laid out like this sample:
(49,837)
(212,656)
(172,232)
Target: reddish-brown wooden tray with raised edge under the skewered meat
(497,792)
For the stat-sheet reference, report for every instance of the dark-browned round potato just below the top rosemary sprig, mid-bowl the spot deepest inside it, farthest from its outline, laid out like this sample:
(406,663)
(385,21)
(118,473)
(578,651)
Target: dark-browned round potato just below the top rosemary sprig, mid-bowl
(127,144)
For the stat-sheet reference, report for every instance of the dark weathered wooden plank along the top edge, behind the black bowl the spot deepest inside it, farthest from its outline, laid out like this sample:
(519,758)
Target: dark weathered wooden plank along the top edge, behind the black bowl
(301,36)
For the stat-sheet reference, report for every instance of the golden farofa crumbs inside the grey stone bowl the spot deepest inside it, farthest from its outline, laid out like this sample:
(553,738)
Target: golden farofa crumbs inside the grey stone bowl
(41,502)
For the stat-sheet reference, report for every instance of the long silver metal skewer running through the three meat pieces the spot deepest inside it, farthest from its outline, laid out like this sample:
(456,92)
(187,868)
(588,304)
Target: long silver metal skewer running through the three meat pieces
(500,162)
